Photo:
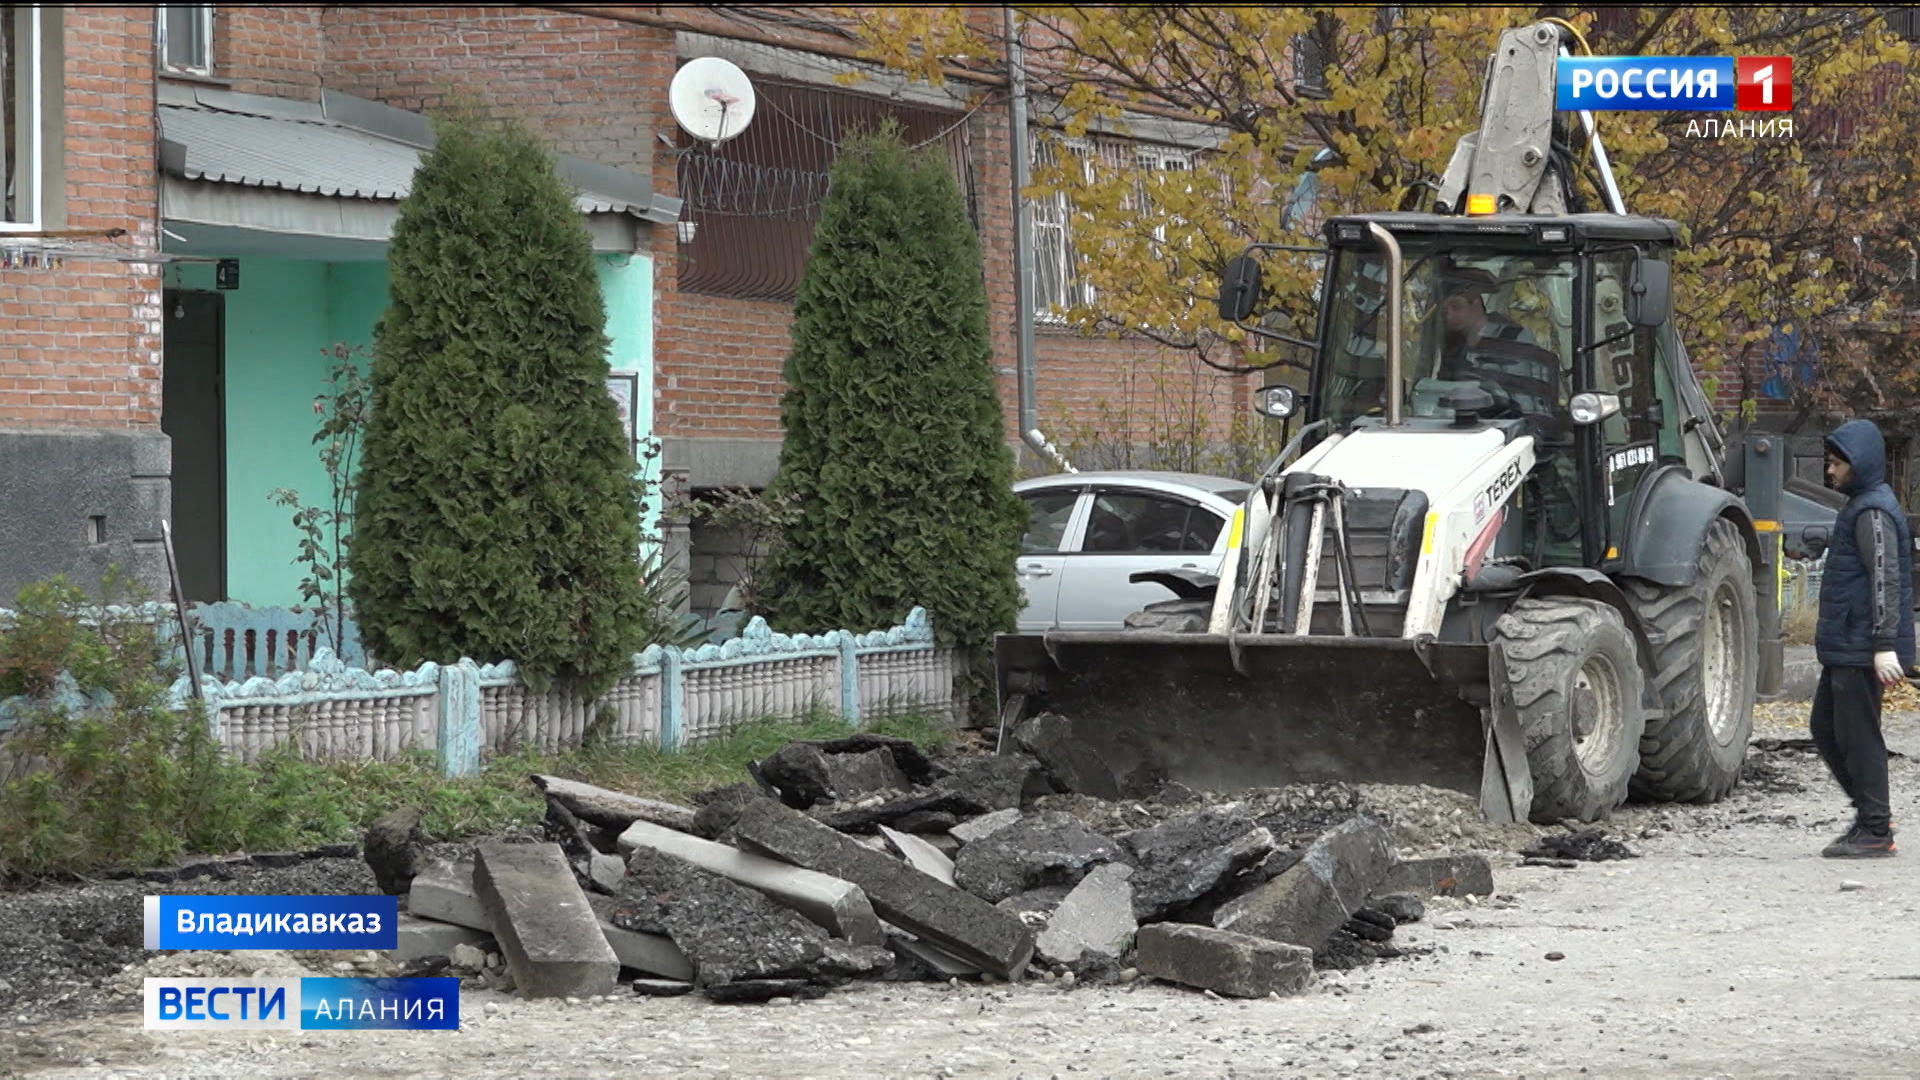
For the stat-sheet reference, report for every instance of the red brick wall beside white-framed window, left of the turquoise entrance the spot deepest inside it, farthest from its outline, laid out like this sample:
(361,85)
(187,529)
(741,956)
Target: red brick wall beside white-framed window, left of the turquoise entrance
(80,345)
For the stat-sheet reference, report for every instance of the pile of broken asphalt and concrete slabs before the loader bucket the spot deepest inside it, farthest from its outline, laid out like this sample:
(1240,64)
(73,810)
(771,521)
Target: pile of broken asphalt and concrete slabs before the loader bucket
(863,858)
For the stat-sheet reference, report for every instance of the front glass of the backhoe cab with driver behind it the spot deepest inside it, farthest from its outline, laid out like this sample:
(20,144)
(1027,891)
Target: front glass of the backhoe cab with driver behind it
(1483,320)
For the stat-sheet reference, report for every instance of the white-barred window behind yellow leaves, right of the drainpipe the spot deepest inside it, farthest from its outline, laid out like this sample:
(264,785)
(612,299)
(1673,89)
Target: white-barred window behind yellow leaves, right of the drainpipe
(1059,283)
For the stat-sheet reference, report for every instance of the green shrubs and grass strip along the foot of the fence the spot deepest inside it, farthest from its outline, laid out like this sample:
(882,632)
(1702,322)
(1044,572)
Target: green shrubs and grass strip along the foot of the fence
(101,772)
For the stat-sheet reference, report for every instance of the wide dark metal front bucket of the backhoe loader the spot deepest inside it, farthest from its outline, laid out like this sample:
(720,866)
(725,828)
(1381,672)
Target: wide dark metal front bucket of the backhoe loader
(1274,710)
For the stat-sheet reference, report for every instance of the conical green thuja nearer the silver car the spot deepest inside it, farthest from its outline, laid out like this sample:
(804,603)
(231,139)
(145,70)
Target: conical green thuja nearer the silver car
(896,449)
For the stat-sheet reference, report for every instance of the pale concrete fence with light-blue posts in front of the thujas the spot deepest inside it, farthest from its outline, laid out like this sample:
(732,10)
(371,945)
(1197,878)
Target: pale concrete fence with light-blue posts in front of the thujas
(669,699)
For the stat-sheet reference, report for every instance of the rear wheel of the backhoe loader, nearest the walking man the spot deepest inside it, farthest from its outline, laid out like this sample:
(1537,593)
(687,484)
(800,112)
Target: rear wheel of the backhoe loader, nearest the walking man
(1706,650)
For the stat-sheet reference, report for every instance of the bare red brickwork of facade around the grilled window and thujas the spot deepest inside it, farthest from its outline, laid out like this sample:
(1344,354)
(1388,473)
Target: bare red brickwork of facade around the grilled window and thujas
(598,89)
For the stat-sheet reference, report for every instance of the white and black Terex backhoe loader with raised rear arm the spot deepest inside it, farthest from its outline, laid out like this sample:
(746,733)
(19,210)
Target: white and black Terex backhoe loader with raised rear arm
(1510,551)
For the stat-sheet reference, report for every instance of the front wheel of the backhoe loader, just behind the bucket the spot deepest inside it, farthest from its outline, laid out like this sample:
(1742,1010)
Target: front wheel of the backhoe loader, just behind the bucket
(1577,687)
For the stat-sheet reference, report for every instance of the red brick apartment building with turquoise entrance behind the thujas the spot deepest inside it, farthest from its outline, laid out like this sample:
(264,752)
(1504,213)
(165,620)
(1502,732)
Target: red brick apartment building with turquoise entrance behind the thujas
(237,170)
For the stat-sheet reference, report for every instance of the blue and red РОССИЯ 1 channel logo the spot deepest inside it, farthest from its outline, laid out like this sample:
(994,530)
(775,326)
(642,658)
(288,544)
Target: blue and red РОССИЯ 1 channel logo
(1694,84)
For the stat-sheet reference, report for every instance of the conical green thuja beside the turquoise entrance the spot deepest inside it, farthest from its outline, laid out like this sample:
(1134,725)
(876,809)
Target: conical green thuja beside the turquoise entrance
(498,510)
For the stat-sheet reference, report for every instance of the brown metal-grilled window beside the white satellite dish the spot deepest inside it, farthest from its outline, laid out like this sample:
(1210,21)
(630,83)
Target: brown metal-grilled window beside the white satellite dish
(752,205)
